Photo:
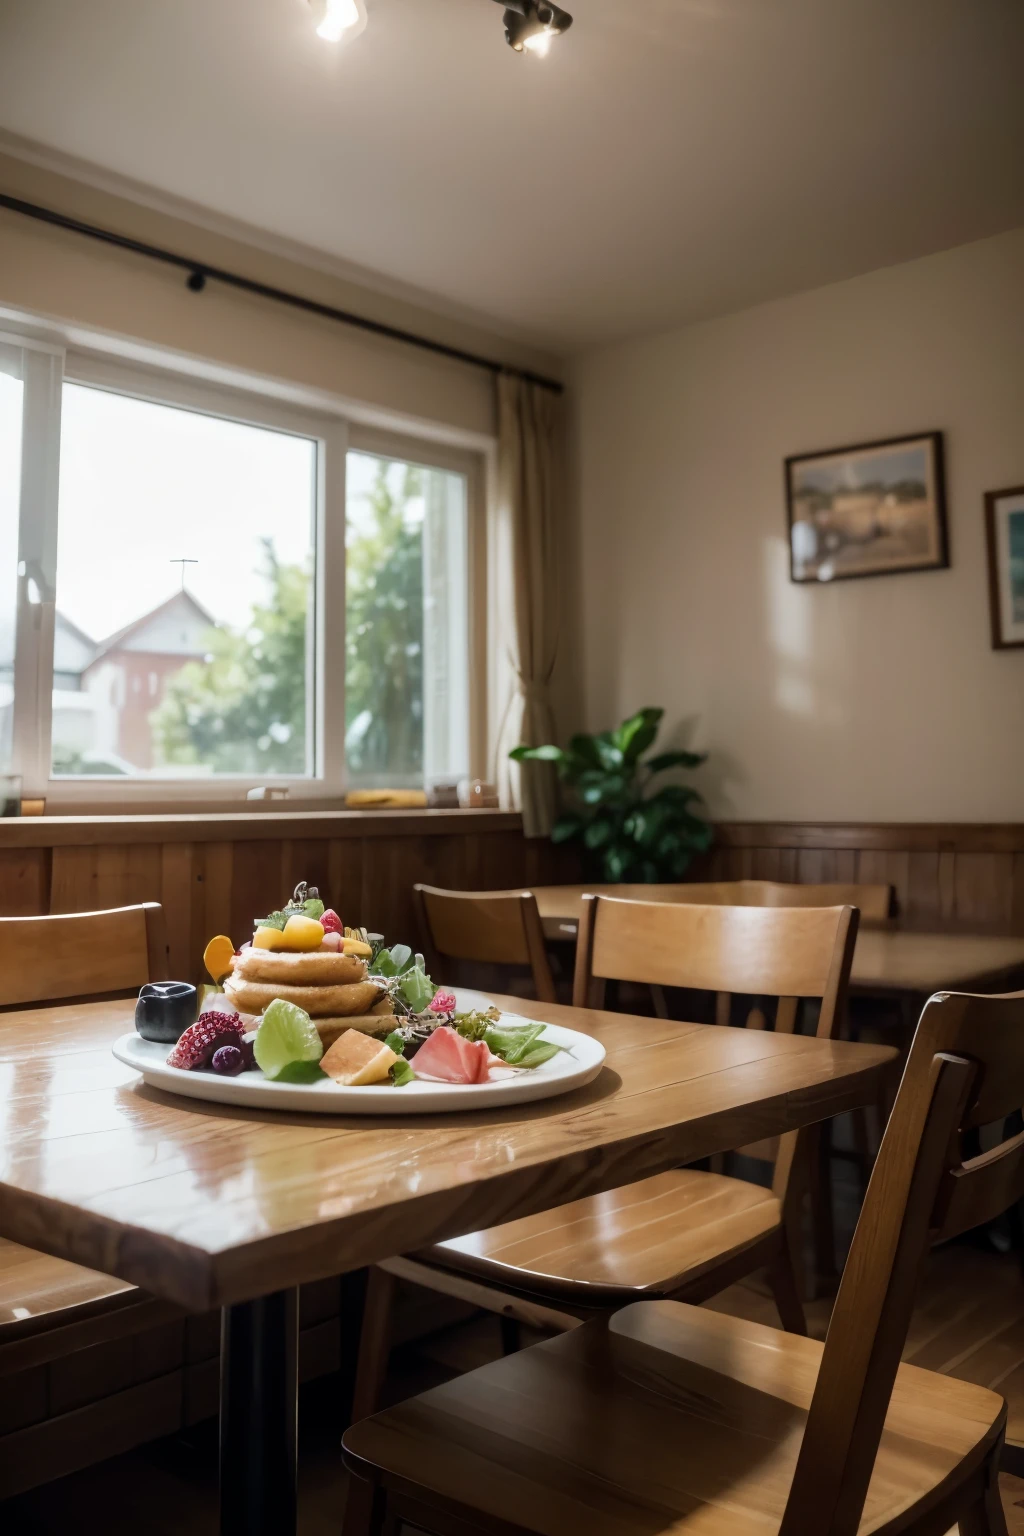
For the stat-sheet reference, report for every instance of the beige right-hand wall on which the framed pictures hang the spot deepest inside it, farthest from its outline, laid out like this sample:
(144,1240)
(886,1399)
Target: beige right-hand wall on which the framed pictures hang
(874,700)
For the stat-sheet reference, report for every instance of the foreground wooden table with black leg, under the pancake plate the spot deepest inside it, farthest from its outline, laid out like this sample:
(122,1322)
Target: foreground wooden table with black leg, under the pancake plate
(214,1207)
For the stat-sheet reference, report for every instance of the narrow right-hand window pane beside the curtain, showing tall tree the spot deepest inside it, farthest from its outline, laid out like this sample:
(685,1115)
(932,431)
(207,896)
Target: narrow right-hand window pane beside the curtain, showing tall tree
(408,718)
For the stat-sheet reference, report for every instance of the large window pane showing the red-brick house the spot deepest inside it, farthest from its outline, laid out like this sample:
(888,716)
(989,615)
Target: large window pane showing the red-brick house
(185,594)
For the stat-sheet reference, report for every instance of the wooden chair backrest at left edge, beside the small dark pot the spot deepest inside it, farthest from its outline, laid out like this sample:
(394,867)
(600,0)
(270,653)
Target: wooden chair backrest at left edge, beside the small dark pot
(81,955)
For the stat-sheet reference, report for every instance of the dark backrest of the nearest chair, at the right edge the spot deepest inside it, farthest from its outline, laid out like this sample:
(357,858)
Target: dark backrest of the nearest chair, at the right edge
(966,1070)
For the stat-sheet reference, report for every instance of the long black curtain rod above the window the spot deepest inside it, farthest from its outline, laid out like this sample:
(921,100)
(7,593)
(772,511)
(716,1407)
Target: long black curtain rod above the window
(200,273)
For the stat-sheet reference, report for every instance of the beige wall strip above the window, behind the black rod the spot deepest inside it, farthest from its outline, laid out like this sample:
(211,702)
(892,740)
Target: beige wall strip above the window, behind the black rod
(68,279)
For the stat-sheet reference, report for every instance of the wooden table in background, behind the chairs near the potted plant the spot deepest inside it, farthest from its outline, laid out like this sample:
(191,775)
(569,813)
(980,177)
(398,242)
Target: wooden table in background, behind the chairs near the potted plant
(887,961)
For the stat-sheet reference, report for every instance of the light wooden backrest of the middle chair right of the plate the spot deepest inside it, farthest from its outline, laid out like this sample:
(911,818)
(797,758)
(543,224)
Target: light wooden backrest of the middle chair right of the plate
(788,953)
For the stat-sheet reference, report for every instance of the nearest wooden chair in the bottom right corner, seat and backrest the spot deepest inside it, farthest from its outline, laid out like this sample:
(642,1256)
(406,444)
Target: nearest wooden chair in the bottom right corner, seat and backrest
(675,1420)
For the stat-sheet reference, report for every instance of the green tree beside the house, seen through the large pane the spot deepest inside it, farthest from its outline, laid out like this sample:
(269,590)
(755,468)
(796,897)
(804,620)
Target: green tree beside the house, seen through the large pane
(245,709)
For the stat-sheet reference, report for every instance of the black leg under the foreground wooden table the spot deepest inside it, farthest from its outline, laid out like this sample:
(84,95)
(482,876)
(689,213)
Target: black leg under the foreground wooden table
(260,1417)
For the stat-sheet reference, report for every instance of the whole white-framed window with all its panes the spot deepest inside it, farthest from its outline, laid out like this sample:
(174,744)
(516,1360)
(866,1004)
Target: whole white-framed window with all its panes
(203,592)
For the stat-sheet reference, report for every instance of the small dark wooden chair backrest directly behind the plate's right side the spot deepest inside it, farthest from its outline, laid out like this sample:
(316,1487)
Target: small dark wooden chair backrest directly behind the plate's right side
(495,927)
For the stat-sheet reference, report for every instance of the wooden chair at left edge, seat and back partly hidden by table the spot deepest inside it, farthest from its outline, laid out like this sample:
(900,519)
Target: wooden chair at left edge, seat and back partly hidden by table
(47,1305)
